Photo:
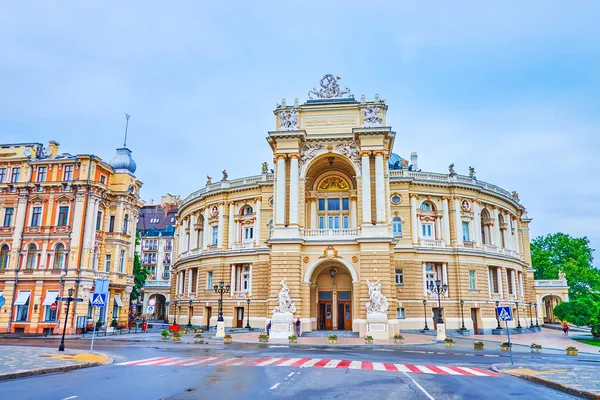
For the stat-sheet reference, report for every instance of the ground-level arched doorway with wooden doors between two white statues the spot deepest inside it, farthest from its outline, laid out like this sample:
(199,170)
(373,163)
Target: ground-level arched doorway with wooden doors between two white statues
(331,296)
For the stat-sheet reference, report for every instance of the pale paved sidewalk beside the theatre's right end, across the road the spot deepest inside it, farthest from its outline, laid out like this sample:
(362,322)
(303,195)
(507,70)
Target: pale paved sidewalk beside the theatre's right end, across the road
(548,338)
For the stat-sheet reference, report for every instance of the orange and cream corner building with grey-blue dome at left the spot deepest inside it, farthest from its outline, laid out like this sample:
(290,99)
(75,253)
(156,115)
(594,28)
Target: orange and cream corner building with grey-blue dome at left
(67,220)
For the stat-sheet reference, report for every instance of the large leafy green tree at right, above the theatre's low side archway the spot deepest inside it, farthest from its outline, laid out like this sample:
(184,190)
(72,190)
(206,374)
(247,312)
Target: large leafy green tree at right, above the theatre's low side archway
(573,256)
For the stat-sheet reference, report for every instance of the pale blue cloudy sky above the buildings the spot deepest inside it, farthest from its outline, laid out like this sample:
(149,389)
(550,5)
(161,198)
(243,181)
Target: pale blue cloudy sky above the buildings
(509,87)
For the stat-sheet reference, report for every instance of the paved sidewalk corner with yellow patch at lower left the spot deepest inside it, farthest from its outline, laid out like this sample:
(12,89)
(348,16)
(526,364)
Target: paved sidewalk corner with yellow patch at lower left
(20,361)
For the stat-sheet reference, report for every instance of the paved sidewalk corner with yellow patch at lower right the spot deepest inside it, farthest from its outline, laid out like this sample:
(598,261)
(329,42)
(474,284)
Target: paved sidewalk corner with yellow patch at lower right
(580,381)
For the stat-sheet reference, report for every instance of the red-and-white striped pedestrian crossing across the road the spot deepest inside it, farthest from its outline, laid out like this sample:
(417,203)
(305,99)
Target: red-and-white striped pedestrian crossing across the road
(307,363)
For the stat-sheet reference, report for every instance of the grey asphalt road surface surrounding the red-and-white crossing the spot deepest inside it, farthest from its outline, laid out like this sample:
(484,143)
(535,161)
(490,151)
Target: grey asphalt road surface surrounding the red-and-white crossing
(263,382)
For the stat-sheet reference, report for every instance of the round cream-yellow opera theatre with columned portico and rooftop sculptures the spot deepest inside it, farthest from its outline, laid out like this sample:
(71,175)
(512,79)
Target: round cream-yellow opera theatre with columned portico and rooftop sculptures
(341,209)
